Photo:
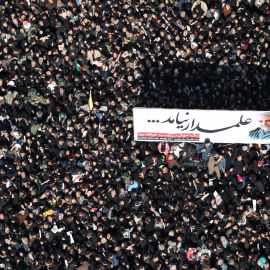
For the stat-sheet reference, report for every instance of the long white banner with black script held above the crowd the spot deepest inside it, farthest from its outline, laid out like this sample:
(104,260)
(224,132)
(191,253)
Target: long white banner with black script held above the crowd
(197,125)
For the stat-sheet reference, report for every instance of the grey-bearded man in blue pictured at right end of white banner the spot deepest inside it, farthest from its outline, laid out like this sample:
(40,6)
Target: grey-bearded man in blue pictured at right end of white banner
(263,131)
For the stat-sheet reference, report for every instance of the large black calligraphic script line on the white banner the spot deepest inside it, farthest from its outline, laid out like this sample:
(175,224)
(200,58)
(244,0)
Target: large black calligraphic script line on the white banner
(190,125)
